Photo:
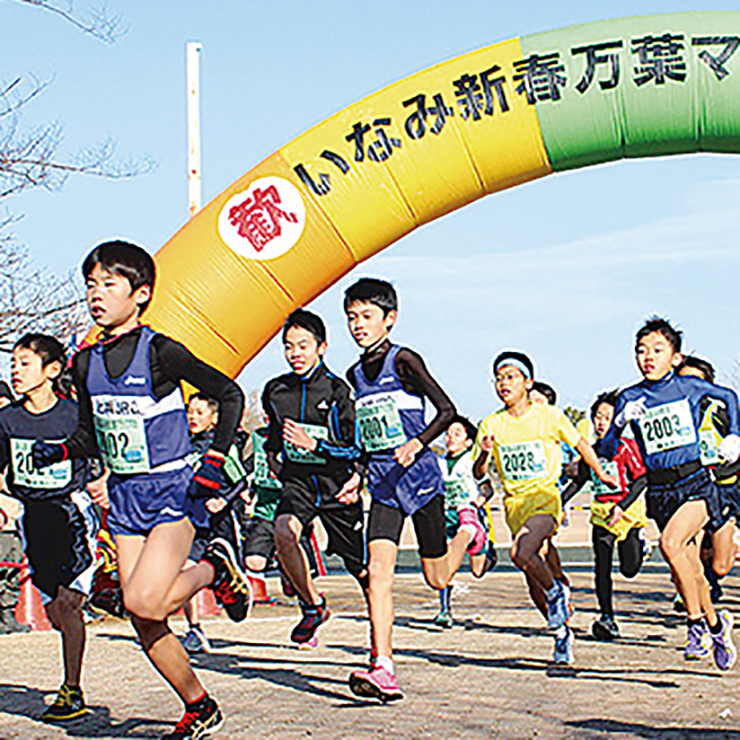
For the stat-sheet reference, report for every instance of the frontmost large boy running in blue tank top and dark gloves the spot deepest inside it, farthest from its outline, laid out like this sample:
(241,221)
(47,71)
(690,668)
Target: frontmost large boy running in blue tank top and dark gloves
(132,411)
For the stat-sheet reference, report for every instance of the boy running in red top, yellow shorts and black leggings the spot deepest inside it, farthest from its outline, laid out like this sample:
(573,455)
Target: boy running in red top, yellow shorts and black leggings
(618,516)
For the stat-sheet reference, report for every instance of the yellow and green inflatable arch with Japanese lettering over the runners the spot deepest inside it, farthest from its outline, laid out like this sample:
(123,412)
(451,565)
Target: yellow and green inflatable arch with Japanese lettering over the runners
(431,143)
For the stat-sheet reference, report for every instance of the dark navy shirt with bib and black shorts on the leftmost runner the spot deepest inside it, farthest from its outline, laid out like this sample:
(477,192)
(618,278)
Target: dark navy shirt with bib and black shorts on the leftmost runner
(59,524)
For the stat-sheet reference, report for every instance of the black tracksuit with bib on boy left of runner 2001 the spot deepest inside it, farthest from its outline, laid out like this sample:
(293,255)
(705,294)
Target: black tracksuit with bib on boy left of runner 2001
(321,403)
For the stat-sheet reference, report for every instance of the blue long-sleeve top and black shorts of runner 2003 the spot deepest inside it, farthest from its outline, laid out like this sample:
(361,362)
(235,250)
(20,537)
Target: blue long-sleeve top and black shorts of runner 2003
(669,440)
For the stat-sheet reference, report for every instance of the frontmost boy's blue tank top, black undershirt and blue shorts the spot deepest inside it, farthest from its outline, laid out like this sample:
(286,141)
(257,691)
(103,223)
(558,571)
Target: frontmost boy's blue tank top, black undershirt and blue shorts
(132,410)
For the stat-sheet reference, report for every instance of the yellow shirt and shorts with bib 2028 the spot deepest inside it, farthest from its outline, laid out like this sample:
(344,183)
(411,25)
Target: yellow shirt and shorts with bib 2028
(529,459)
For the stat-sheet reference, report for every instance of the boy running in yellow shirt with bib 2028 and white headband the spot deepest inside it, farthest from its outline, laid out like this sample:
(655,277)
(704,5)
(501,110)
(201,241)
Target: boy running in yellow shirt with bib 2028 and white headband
(525,439)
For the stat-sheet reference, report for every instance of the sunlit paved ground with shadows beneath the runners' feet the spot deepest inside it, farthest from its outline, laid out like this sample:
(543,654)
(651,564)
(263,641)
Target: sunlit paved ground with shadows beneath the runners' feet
(489,676)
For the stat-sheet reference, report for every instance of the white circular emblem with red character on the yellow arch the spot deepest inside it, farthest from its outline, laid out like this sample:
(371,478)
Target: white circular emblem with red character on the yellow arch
(264,221)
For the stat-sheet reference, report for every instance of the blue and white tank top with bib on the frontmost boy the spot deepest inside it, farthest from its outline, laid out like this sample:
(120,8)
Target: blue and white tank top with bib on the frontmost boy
(136,432)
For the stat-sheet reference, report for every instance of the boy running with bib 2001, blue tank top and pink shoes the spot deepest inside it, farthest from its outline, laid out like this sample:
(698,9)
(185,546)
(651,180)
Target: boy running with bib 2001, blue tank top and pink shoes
(403,476)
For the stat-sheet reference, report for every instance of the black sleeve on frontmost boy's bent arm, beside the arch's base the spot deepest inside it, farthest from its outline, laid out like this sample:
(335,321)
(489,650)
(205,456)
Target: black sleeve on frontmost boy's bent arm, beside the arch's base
(179,364)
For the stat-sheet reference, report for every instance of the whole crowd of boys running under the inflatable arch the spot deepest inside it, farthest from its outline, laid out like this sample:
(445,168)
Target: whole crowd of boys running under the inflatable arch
(110,433)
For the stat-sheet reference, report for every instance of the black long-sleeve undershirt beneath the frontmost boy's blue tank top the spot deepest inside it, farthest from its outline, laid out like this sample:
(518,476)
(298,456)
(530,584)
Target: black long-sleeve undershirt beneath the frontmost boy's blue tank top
(171,364)
